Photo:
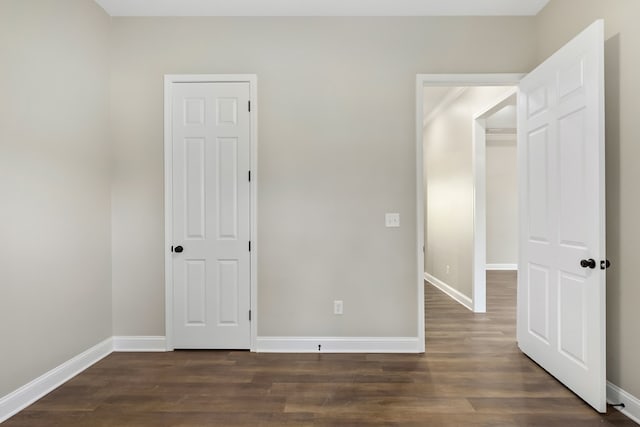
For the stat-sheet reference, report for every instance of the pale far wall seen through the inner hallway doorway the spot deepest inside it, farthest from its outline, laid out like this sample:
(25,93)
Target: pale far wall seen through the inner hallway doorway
(502,201)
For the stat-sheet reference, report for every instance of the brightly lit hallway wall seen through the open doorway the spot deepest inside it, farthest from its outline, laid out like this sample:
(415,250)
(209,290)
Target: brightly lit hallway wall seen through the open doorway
(449,188)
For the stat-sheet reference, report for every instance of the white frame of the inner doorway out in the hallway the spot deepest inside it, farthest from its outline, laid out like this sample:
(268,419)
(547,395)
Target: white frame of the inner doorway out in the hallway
(479,167)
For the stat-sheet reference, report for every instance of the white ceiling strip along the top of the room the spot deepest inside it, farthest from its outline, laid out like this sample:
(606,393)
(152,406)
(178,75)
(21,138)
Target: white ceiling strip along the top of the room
(322,7)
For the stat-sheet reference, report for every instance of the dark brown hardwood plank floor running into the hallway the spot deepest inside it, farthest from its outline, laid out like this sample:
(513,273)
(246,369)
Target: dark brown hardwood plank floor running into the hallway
(471,375)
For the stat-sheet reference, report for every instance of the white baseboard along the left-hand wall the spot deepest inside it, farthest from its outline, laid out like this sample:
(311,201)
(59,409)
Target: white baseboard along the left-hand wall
(19,399)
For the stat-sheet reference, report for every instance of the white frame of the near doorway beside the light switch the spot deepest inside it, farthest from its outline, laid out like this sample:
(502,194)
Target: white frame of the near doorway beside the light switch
(422,81)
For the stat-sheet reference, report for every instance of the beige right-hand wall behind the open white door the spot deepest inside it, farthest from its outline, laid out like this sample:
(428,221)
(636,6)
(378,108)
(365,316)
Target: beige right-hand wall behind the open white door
(557,24)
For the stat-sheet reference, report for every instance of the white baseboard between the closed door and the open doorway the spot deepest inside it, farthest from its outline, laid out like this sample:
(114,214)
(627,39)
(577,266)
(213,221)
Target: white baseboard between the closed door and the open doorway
(337,345)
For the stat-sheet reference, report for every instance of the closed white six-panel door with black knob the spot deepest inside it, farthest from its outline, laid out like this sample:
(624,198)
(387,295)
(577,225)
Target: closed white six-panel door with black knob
(211,215)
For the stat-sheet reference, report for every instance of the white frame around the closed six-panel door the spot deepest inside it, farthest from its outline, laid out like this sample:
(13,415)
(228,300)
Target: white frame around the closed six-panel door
(169,81)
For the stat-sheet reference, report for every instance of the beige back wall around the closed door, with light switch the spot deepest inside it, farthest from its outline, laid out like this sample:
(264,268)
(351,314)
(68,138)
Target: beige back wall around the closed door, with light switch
(336,103)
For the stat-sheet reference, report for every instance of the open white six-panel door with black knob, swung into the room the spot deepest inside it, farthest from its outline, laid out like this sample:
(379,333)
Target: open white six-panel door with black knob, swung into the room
(561,275)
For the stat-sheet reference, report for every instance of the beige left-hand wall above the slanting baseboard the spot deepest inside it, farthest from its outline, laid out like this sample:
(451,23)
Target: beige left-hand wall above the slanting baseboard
(55,274)
